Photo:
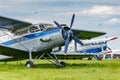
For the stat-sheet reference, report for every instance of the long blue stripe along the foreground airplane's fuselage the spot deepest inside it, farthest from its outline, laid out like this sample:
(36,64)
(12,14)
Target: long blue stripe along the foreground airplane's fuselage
(31,36)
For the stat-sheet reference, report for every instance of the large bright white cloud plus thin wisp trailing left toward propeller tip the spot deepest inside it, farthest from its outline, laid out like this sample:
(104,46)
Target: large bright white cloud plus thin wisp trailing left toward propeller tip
(100,11)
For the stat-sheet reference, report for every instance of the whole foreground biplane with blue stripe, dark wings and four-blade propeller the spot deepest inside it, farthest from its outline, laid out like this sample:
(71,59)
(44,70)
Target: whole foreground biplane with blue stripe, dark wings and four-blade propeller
(23,40)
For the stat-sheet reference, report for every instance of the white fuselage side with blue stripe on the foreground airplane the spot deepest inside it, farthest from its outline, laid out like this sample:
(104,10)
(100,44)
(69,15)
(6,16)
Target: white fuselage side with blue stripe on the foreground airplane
(34,43)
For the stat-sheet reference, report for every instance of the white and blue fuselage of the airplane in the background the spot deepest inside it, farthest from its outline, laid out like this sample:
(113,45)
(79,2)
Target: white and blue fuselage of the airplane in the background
(93,46)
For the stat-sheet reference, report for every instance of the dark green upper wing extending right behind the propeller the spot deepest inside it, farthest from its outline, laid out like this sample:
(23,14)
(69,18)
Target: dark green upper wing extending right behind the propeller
(83,34)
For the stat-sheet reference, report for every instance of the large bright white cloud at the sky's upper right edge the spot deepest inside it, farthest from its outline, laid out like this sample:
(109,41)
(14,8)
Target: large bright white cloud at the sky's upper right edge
(102,10)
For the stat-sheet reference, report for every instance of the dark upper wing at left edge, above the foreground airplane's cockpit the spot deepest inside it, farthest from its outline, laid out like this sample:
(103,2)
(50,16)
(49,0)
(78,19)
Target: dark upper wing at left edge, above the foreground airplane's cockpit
(12,23)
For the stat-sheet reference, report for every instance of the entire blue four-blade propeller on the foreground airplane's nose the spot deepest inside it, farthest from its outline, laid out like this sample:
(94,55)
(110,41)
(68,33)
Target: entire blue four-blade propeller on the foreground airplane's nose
(69,33)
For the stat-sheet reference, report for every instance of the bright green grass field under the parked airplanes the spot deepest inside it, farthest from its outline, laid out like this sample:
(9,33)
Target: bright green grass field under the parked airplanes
(75,70)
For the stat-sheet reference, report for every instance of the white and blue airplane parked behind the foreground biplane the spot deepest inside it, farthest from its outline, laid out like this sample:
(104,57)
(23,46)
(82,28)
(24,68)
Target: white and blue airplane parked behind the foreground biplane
(91,48)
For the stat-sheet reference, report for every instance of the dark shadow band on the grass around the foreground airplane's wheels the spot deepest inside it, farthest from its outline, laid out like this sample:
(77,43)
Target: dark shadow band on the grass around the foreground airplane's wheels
(53,66)
